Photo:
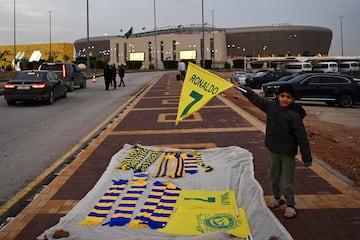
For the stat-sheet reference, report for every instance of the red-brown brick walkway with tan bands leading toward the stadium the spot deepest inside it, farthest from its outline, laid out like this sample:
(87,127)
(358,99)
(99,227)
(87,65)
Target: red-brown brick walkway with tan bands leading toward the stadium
(328,208)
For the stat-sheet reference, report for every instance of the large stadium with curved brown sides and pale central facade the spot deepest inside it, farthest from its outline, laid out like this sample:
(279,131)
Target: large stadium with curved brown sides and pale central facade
(221,44)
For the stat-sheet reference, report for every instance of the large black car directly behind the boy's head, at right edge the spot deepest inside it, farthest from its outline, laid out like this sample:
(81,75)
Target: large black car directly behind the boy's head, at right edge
(331,88)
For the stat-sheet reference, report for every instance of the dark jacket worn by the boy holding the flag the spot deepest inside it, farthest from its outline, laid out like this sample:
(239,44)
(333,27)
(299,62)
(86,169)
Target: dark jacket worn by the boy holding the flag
(285,129)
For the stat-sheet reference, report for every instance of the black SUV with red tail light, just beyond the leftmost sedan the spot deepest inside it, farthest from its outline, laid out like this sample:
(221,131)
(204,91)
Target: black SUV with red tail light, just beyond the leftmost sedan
(69,72)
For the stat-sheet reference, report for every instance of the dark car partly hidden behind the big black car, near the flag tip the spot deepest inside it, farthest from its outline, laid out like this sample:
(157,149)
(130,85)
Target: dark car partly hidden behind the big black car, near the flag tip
(264,77)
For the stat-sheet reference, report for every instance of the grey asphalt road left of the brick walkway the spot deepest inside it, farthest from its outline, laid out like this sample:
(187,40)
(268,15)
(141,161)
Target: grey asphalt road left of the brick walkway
(34,136)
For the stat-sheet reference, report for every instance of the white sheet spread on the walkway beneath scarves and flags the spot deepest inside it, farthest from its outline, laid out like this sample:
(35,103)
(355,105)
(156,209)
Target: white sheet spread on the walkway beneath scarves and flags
(233,169)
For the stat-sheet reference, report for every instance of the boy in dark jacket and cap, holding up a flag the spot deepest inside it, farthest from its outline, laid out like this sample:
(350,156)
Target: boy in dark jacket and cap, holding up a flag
(285,132)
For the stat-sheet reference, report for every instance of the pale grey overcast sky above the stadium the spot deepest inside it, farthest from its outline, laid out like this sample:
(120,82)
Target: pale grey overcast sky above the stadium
(67,19)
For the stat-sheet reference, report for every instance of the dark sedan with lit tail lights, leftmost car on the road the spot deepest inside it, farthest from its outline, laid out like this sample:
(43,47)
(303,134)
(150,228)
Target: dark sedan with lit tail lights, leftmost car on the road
(34,85)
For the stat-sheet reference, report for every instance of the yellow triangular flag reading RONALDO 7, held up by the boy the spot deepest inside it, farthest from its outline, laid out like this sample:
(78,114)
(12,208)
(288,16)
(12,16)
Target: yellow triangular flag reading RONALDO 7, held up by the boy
(199,87)
